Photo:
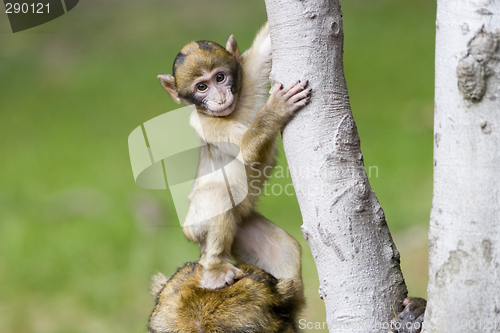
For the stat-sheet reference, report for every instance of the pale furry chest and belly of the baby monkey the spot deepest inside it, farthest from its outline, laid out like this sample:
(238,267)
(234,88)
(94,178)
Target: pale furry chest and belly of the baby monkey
(222,166)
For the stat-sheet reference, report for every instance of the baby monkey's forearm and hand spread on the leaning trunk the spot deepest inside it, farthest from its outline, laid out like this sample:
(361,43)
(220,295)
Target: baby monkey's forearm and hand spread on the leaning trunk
(259,139)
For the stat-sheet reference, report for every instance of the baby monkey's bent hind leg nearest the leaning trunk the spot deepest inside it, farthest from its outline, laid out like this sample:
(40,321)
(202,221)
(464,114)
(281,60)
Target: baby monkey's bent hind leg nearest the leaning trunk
(262,243)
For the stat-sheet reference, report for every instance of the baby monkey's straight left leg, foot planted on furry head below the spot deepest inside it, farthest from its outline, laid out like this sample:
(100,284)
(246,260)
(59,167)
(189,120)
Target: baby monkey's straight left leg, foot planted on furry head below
(214,234)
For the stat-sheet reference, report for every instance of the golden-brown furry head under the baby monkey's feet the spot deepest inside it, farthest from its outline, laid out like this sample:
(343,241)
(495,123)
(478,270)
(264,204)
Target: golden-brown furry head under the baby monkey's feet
(255,303)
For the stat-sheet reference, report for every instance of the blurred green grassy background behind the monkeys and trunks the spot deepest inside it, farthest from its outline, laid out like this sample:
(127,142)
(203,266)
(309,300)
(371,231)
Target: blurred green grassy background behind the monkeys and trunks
(79,240)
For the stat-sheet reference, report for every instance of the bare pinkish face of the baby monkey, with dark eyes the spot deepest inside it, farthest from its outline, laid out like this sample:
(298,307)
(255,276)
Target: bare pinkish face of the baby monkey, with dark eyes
(214,90)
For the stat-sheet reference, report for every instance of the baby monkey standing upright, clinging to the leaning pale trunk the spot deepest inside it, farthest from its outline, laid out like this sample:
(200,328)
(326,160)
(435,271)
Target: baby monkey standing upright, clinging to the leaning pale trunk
(235,123)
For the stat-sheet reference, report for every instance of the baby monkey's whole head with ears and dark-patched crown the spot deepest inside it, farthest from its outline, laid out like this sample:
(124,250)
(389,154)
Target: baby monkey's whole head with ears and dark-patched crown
(207,75)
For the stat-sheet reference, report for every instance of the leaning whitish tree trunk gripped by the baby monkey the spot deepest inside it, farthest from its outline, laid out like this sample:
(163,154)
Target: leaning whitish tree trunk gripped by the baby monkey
(357,261)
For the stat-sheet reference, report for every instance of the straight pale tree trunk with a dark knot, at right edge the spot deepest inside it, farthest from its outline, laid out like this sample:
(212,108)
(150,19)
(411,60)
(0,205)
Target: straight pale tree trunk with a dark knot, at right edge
(464,235)
